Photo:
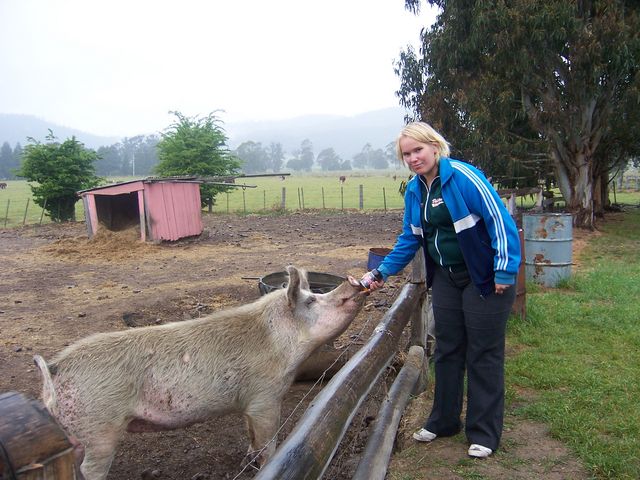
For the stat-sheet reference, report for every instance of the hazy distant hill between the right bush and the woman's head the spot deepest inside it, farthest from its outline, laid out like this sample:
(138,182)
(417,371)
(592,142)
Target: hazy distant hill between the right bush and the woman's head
(347,135)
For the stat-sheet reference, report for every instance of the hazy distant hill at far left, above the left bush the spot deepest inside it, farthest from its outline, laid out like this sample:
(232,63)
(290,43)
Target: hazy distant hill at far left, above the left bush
(16,128)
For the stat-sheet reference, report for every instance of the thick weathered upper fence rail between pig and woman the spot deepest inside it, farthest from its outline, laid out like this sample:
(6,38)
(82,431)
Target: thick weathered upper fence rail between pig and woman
(307,451)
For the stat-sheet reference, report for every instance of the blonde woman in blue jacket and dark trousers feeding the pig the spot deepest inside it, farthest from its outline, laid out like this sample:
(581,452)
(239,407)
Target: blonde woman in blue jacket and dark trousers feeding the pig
(472,253)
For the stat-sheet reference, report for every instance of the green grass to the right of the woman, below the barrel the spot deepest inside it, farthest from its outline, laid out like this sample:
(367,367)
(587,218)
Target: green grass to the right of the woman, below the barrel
(579,353)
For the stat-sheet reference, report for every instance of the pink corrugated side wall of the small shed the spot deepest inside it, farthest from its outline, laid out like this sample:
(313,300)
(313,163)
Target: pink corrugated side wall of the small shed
(173,210)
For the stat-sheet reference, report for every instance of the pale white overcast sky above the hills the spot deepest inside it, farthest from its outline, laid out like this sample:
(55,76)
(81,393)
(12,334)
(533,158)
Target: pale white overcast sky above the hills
(117,67)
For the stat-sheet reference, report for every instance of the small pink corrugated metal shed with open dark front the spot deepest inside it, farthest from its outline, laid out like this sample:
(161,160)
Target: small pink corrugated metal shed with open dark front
(164,209)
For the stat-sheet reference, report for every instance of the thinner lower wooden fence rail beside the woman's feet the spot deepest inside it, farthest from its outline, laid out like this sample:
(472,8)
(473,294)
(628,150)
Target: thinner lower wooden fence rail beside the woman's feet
(375,459)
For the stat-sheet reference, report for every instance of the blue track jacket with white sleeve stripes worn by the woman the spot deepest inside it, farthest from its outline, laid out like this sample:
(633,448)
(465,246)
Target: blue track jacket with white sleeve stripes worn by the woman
(487,235)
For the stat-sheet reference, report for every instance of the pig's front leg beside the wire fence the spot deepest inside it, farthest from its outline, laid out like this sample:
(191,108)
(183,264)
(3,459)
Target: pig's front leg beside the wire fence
(263,419)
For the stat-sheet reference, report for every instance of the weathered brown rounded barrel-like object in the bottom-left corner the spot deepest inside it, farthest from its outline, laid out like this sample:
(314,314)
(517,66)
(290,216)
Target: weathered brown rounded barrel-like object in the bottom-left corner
(34,446)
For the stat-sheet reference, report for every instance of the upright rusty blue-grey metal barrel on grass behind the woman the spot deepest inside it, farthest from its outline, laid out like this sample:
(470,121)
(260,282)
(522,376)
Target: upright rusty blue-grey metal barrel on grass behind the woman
(548,244)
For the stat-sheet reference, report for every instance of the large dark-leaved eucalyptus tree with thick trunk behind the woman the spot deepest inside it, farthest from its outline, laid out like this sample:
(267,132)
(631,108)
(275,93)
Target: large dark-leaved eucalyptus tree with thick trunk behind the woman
(526,79)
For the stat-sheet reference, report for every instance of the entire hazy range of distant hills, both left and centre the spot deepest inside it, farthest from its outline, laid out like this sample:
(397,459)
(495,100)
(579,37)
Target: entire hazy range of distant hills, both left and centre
(347,135)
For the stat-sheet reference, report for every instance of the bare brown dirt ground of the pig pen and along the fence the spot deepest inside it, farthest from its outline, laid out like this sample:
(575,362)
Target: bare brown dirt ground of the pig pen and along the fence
(58,286)
